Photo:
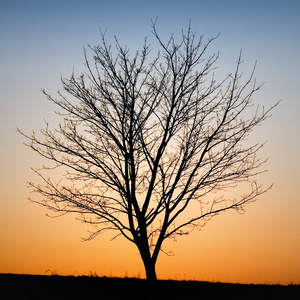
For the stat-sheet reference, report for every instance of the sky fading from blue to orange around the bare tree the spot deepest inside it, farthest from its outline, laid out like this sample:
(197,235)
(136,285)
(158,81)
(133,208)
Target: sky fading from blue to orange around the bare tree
(43,40)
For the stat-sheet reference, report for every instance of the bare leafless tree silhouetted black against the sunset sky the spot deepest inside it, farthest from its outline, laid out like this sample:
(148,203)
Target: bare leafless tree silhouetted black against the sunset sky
(145,145)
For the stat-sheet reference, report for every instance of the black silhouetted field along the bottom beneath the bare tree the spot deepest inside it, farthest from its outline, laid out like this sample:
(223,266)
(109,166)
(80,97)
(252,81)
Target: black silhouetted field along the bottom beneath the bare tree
(85,287)
